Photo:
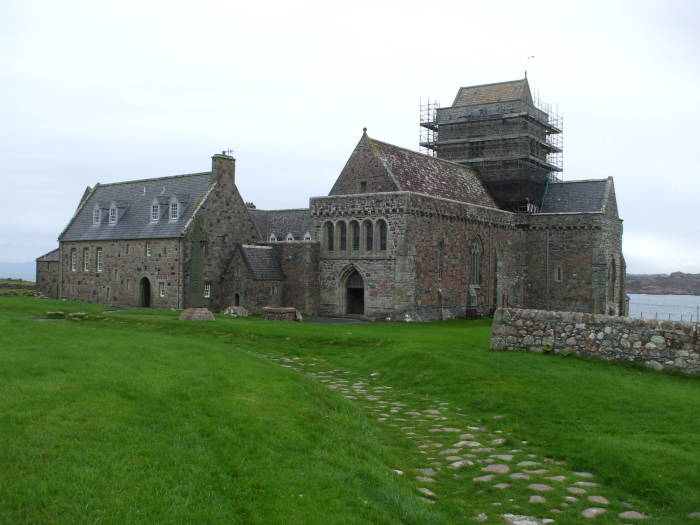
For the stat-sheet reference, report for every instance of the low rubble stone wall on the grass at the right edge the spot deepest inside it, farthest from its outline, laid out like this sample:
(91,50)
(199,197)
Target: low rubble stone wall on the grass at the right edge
(660,345)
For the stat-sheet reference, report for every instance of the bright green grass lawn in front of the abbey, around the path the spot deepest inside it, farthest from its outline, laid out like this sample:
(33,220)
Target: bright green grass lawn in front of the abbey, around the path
(136,417)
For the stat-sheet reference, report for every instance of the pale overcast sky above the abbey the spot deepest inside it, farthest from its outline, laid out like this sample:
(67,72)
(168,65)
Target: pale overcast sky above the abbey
(101,91)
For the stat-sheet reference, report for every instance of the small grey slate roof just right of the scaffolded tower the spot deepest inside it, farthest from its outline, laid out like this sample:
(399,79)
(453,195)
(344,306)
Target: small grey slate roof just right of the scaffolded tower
(575,196)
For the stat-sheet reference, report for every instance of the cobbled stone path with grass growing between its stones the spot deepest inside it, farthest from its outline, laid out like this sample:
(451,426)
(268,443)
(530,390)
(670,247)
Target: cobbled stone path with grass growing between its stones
(486,460)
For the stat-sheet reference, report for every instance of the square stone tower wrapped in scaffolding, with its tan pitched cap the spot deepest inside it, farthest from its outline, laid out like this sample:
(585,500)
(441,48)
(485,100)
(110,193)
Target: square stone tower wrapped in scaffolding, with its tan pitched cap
(512,139)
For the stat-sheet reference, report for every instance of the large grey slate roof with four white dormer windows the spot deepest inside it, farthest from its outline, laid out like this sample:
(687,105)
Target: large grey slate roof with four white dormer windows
(134,199)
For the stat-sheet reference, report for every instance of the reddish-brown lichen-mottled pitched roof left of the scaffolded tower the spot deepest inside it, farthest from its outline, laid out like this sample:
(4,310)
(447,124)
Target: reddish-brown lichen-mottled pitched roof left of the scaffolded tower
(413,171)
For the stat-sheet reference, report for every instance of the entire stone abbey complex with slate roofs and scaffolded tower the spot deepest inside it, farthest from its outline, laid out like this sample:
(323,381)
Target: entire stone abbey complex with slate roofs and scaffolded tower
(480,222)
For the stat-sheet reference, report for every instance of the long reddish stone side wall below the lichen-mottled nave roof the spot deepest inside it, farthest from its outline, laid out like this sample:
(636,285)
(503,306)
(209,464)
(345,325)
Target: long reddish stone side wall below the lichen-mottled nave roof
(443,283)
